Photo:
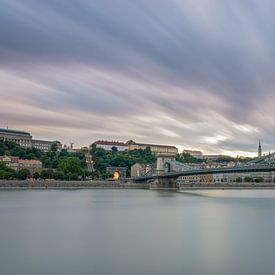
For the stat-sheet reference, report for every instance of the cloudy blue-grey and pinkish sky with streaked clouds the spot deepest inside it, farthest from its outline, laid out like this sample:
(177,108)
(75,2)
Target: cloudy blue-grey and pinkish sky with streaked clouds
(195,74)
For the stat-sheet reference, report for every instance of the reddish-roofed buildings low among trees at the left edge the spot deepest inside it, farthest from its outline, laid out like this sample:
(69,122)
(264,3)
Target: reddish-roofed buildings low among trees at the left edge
(19,164)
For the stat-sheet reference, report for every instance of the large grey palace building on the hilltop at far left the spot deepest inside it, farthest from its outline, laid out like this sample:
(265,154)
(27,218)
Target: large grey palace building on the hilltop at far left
(24,139)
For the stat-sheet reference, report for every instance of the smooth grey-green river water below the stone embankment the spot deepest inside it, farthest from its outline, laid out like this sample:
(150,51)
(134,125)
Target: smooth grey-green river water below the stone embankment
(137,232)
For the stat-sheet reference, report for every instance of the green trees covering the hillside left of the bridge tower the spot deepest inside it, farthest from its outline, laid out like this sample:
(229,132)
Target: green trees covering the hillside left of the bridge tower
(64,165)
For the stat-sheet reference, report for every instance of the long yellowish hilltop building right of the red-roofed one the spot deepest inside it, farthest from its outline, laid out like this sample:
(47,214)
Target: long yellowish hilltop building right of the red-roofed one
(155,148)
